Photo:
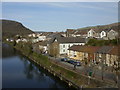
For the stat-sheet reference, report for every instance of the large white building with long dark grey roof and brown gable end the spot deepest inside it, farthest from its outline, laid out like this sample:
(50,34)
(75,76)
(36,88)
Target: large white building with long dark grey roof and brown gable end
(59,46)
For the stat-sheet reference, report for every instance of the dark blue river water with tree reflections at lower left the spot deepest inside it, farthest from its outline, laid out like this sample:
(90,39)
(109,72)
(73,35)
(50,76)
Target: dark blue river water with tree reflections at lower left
(19,72)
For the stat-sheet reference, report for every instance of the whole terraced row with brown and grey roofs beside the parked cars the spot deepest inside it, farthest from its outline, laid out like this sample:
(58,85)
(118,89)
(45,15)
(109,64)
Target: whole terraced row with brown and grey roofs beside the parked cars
(108,55)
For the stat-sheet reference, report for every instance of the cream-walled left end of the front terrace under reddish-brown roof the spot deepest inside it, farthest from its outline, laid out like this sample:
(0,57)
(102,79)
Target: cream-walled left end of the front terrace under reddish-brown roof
(79,52)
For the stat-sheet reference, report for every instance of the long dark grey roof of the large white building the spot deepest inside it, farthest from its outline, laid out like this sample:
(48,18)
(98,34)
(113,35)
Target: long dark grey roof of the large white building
(68,40)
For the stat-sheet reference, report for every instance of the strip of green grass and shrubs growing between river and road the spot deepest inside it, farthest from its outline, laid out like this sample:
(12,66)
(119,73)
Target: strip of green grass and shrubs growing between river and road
(70,75)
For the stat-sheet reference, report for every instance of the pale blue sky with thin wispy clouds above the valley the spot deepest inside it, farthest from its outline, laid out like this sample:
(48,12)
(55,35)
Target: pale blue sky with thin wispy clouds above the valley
(59,16)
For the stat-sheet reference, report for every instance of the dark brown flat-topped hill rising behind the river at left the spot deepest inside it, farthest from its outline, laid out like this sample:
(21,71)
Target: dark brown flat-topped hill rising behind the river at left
(11,28)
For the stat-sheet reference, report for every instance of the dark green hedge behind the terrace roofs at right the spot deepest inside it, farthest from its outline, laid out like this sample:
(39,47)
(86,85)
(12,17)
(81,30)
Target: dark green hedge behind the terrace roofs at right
(95,42)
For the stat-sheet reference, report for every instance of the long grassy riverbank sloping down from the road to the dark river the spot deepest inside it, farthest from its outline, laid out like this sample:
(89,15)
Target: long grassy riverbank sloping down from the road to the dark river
(66,74)
